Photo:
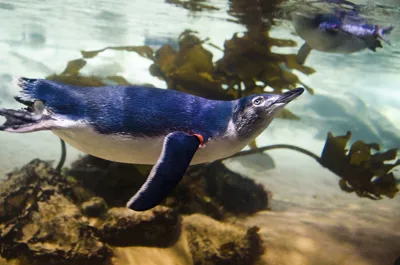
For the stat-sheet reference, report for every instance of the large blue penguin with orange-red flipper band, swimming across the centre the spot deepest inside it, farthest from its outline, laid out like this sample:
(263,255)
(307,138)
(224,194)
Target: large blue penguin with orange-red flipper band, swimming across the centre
(131,124)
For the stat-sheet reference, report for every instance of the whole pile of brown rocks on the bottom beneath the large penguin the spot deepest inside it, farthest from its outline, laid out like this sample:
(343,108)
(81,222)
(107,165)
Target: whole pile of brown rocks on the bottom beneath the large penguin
(78,217)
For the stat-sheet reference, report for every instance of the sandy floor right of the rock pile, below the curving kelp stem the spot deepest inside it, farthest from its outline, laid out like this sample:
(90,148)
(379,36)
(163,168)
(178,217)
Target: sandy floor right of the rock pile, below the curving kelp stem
(313,222)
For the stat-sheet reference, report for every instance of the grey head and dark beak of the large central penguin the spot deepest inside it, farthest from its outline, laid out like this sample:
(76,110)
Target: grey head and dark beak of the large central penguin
(252,114)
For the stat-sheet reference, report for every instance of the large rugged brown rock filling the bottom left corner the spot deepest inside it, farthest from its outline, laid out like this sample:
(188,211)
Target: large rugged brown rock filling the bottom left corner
(39,223)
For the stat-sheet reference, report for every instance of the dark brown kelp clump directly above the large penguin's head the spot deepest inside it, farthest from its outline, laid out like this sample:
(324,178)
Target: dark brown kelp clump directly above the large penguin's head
(249,59)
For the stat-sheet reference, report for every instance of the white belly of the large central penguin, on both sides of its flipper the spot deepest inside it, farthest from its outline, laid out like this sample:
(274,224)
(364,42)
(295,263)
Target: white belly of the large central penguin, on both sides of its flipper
(127,149)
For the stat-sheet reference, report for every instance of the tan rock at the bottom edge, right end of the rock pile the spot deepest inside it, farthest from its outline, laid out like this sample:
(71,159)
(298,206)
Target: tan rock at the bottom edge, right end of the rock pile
(214,243)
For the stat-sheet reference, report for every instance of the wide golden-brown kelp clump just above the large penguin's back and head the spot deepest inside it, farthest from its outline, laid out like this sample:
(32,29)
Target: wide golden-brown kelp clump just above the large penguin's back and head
(246,60)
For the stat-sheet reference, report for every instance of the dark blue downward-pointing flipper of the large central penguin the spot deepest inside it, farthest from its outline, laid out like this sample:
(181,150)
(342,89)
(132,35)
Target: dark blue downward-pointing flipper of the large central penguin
(178,150)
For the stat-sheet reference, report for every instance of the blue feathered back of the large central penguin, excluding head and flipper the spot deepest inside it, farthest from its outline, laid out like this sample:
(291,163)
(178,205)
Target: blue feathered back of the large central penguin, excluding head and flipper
(131,110)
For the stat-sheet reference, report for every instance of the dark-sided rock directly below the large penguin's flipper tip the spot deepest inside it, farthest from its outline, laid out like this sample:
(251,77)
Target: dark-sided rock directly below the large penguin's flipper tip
(159,227)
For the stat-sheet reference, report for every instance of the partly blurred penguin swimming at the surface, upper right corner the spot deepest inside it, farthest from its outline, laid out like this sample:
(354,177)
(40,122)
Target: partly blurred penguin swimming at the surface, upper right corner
(336,33)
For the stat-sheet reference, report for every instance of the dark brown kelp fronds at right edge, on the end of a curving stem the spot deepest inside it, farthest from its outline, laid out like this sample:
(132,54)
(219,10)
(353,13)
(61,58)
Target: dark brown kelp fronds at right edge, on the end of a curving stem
(361,171)
